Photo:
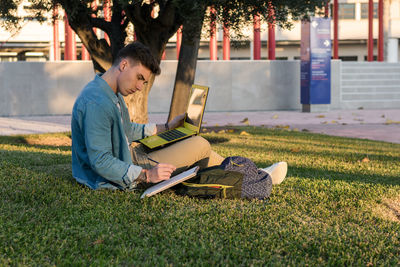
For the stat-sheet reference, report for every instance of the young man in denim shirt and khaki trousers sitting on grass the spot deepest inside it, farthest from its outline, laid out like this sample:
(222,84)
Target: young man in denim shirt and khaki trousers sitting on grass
(102,133)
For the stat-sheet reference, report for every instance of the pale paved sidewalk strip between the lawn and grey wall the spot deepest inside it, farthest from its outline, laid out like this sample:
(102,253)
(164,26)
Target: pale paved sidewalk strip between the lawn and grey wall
(382,125)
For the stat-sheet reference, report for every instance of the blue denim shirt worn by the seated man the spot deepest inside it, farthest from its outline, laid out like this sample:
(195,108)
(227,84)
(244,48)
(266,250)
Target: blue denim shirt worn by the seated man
(101,134)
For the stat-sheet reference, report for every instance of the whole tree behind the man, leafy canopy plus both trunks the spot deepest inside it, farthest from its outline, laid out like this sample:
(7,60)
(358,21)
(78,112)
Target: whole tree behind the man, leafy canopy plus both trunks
(155,22)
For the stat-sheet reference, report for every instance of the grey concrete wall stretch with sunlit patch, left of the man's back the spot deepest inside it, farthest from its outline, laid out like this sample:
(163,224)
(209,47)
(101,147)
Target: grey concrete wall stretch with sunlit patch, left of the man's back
(41,88)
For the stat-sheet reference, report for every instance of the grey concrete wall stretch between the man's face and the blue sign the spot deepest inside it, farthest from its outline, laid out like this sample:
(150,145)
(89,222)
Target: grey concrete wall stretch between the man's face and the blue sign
(236,85)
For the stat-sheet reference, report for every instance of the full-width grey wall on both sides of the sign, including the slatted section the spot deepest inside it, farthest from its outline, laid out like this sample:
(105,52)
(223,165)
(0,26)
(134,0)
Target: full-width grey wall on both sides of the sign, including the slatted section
(50,88)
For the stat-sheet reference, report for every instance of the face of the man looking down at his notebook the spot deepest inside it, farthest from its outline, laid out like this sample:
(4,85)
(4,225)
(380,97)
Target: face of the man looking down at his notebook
(132,77)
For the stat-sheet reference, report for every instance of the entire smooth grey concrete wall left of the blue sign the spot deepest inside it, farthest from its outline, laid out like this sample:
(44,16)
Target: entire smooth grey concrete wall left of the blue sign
(42,88)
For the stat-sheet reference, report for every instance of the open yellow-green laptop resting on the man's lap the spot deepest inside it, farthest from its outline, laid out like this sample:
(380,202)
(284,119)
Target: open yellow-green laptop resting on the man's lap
(192,122)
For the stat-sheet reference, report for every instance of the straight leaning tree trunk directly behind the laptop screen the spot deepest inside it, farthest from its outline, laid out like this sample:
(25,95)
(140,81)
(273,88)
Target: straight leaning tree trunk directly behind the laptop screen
(186,70)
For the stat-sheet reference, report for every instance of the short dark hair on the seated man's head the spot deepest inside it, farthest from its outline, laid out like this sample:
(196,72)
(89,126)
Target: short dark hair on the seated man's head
(139,53)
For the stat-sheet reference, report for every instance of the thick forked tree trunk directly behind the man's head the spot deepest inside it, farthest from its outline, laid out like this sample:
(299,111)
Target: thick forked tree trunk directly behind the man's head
(154,33)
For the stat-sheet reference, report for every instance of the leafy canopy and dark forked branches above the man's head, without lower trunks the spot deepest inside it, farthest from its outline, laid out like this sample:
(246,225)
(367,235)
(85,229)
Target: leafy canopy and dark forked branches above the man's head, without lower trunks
(155,30)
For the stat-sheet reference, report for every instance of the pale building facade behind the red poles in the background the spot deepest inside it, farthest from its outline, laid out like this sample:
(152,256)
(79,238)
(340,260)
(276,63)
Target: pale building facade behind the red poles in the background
(34,41)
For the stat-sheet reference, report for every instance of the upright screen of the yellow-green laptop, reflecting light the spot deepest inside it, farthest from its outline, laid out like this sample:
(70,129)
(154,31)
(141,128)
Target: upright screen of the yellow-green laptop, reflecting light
(196,105)
